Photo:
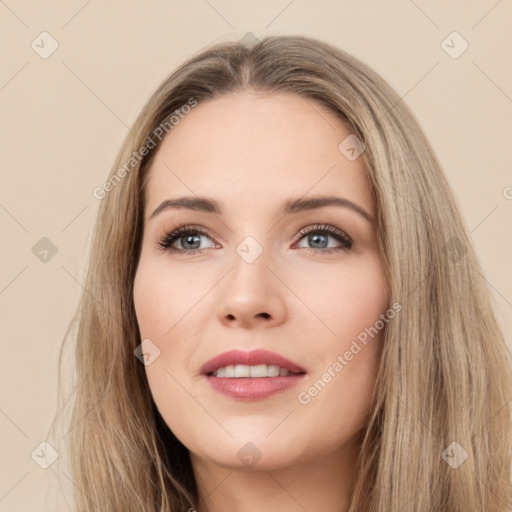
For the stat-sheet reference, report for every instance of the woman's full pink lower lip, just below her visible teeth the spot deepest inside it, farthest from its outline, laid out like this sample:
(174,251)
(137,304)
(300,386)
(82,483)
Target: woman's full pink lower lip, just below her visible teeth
(245,388)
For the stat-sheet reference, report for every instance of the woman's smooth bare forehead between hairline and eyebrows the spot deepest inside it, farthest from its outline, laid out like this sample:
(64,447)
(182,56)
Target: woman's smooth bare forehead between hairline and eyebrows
(249,149)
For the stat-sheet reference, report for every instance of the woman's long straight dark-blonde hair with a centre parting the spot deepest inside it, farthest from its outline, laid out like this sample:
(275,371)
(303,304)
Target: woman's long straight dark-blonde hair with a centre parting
(444,383)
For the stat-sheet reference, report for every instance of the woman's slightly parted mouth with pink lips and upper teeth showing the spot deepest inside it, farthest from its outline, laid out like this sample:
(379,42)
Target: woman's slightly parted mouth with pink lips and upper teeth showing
(251,375)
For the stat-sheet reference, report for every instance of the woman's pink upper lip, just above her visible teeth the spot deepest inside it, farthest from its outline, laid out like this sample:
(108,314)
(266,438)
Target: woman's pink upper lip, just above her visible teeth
(252,358)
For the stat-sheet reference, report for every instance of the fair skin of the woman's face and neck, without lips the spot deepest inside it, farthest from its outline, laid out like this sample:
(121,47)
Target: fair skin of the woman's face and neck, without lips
(250,151)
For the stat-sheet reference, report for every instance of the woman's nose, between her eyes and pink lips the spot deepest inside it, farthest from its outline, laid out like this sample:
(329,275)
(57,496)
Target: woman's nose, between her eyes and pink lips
(252,295)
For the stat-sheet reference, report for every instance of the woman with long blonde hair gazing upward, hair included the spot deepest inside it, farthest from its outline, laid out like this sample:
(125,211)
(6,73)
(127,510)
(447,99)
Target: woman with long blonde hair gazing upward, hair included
(283,309)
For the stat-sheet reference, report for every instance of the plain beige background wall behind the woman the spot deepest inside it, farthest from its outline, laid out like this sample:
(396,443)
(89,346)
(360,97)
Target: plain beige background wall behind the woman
(64,117)
